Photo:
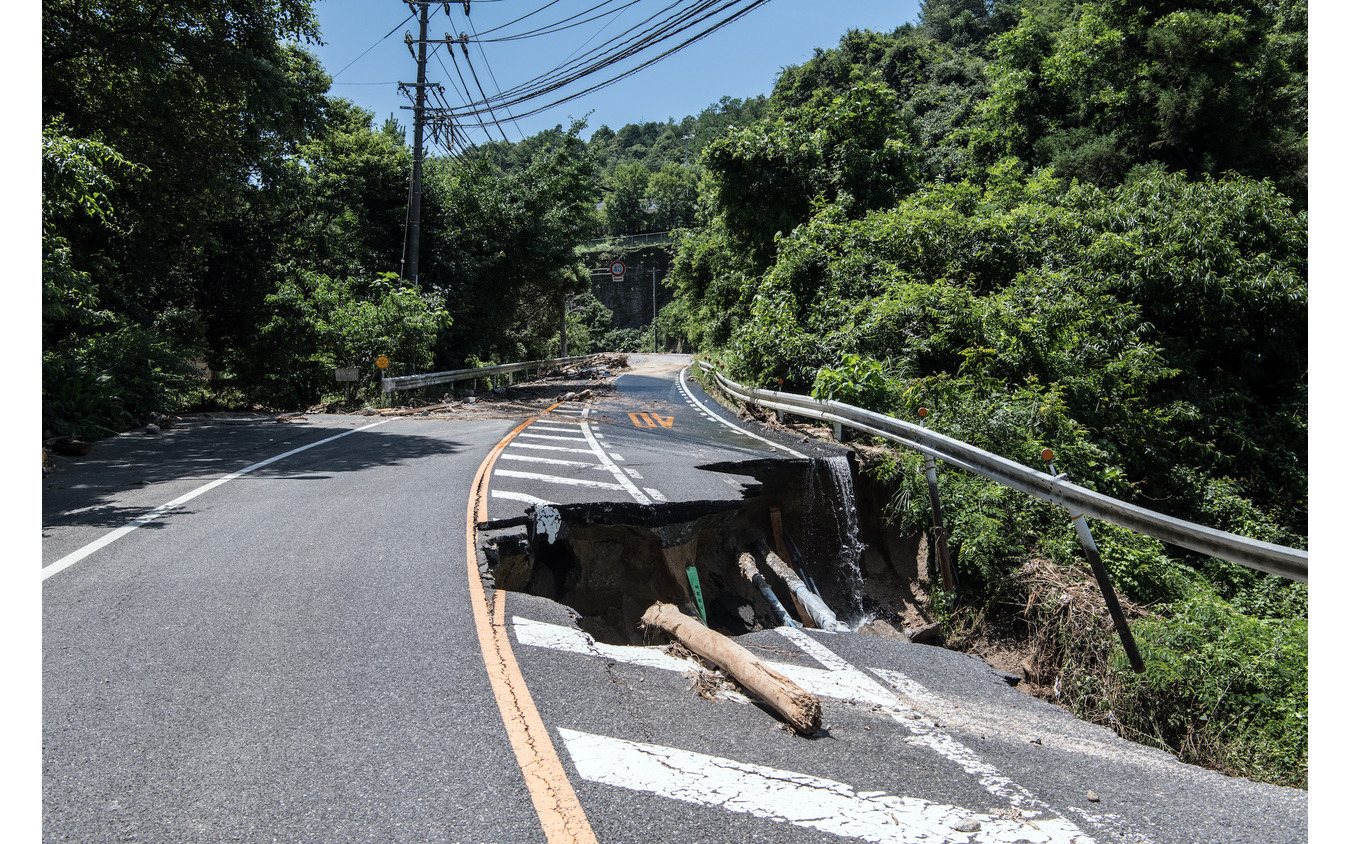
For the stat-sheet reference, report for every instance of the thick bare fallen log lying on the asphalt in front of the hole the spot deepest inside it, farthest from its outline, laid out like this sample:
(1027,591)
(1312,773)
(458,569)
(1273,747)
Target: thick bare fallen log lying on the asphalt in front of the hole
(800,708)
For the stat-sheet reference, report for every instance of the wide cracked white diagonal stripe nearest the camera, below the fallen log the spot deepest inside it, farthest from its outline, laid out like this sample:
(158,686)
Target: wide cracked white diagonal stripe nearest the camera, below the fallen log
(801,800)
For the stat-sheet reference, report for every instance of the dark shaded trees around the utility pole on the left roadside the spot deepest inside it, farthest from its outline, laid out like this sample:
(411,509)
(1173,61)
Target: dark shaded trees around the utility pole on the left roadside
(218,229)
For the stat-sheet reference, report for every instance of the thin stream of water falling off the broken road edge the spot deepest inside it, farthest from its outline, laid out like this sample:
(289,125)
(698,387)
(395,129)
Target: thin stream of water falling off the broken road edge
(831,491)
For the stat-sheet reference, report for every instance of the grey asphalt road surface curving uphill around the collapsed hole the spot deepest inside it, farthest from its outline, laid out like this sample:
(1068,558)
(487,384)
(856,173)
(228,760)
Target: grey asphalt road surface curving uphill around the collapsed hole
(292,656)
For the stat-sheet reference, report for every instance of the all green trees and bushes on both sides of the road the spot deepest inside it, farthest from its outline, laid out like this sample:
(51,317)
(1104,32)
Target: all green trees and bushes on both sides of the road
(1079,226)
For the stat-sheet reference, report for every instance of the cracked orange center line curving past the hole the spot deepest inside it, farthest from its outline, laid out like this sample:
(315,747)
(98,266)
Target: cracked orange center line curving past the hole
(560,812)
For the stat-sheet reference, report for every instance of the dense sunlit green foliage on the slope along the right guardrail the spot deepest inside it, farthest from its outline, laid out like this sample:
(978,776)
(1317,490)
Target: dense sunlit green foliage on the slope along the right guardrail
(1070,226)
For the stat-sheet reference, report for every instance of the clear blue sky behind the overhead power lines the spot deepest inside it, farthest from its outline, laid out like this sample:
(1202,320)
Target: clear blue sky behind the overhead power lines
(740,60)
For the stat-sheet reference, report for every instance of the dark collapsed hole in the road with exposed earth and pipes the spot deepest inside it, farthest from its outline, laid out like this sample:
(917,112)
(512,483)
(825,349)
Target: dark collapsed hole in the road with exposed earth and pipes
(611,561)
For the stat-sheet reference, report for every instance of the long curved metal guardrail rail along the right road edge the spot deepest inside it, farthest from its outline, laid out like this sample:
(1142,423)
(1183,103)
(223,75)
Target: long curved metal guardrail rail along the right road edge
(1255,554)
